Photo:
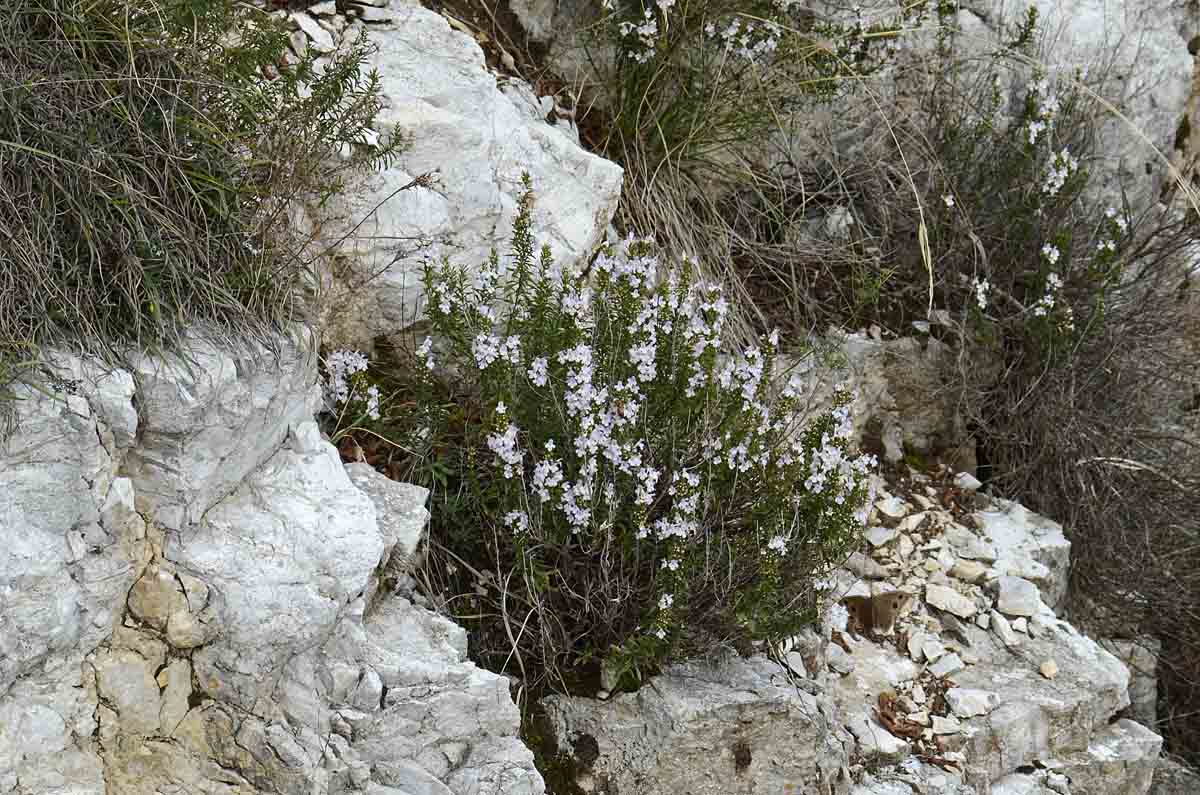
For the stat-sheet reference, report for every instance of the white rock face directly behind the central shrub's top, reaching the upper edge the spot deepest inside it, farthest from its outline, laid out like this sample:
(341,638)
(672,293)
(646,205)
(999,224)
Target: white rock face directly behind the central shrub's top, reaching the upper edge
(479,140)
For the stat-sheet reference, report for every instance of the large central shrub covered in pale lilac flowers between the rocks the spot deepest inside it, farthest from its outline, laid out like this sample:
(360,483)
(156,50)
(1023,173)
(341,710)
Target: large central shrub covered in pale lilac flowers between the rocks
(626,491)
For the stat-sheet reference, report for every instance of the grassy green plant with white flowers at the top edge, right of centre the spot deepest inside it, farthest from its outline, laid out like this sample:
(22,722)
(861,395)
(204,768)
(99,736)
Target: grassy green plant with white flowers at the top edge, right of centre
(691,80)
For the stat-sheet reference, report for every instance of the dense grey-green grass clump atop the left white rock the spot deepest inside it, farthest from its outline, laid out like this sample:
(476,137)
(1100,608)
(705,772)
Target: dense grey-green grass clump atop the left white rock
(151,154)
